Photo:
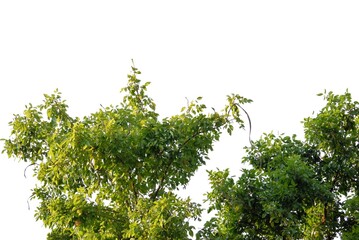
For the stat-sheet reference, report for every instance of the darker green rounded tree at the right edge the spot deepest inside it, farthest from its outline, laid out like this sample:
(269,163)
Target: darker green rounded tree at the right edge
(294,189)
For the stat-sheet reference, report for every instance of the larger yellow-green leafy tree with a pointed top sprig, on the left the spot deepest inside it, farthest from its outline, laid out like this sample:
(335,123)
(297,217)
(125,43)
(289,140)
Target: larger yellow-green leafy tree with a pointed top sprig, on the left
(112,174)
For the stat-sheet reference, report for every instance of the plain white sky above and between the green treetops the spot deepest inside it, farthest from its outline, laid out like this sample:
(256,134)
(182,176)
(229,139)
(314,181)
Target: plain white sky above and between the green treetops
(278,53)
